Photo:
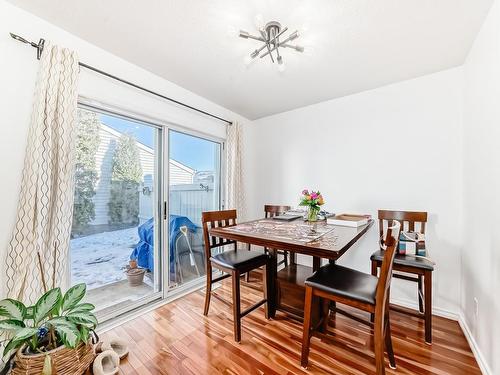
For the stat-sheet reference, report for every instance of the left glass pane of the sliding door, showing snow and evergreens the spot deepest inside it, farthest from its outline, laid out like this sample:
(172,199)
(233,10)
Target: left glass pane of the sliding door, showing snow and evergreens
(115,216)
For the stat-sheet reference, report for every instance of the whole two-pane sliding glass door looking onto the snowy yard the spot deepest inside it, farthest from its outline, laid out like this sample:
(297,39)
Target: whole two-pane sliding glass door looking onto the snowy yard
(140,189)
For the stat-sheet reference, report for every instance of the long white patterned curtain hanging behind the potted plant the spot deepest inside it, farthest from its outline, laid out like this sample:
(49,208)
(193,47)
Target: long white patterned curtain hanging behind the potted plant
(45,207)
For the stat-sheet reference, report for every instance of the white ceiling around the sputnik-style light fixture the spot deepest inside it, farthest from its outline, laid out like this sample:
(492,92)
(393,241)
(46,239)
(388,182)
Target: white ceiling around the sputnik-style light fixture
(354,45)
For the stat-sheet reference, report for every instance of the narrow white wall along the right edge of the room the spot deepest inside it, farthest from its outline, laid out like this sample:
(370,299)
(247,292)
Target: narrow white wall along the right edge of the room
(481,250)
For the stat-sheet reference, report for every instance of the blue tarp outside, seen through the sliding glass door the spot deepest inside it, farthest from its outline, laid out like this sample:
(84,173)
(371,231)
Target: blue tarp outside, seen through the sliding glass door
(144,251)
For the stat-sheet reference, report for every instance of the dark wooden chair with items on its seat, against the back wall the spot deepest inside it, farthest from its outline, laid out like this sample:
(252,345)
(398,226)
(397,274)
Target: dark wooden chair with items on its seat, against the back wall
(410,264)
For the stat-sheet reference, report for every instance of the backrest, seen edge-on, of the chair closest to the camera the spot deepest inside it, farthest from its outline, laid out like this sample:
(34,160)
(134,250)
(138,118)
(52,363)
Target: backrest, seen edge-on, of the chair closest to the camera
(384,281)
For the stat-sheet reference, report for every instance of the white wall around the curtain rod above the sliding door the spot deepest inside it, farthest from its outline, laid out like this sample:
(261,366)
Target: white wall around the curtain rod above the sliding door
(18,67)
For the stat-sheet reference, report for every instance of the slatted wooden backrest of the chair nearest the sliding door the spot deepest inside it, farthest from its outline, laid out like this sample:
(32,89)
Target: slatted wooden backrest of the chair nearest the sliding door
(216,219)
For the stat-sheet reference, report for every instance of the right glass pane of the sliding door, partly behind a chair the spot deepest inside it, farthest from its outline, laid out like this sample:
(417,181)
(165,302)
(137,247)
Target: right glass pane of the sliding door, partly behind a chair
(194,186)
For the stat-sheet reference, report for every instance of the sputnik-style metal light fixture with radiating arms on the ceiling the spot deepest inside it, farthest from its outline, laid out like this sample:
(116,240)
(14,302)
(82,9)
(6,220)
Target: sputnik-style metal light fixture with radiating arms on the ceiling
(272,35)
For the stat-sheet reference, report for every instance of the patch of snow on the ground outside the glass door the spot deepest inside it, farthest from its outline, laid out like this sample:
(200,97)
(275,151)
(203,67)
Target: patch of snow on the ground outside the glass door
(100,259)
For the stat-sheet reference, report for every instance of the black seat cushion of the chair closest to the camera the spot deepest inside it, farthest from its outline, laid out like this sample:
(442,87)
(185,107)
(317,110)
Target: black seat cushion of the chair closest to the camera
(345,282)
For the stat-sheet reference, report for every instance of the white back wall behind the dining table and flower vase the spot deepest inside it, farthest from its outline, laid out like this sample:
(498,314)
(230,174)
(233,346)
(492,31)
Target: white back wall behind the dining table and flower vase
(396,147)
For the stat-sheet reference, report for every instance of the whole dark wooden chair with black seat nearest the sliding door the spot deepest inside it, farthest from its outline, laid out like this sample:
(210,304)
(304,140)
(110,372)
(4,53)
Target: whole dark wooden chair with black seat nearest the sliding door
(234,263)
